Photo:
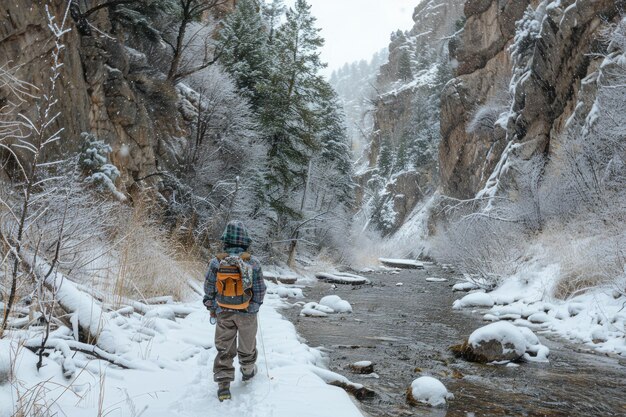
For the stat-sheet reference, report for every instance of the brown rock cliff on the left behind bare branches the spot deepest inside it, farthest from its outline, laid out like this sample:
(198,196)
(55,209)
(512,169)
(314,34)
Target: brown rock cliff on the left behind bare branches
(106,87)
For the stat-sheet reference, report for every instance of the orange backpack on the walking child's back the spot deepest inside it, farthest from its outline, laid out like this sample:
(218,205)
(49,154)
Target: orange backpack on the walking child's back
(234,281)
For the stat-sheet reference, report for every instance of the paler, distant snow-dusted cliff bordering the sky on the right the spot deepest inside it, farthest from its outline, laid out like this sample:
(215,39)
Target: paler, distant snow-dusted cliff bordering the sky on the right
(406,114)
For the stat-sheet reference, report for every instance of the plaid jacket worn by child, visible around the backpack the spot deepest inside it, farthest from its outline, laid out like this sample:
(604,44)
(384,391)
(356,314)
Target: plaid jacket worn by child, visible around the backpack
(258,284)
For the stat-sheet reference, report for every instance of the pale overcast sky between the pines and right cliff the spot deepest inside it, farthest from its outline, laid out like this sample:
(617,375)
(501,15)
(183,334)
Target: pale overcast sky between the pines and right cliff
(355,29)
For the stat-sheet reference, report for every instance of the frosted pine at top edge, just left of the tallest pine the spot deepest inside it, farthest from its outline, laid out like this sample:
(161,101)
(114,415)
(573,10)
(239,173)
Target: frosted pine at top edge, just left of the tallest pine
(244,44)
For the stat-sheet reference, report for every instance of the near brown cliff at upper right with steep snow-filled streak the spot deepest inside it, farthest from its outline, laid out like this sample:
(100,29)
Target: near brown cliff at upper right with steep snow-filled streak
(519,78)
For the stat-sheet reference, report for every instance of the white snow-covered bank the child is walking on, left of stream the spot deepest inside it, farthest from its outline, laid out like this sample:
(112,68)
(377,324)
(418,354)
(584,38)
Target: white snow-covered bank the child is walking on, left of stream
(173,359)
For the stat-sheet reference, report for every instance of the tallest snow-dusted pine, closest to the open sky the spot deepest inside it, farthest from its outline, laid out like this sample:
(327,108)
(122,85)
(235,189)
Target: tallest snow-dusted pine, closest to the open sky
(289,114)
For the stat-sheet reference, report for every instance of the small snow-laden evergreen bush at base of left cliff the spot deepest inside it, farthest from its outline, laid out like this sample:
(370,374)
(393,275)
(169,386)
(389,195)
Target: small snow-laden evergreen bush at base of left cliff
(94,160)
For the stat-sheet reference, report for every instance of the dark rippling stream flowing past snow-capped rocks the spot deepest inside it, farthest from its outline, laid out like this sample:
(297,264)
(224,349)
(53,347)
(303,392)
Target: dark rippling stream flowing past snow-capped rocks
(406,331)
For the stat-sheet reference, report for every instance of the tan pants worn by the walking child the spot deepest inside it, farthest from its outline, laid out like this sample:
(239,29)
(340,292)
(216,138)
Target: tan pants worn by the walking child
(229,326)
